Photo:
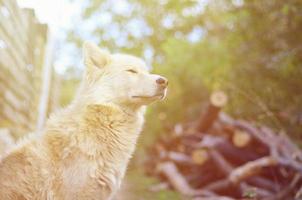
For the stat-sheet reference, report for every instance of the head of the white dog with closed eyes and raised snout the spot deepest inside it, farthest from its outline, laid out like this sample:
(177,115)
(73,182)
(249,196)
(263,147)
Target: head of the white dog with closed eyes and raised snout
(120,79)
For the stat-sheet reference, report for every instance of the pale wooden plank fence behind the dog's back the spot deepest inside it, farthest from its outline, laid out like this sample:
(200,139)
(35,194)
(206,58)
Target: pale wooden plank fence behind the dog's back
(22,49)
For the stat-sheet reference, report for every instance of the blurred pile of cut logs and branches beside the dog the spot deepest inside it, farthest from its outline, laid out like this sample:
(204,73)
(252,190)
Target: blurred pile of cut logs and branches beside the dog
(218,157)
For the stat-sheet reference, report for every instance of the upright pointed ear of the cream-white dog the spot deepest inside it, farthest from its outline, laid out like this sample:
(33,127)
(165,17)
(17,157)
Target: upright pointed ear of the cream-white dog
(94,56)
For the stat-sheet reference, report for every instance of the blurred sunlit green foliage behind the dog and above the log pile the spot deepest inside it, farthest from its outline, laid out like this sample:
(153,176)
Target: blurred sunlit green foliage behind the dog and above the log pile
(250,49)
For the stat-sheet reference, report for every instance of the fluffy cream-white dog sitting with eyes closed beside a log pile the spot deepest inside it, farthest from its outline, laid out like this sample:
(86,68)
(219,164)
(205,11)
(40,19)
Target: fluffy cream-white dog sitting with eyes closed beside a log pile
(85,148)
